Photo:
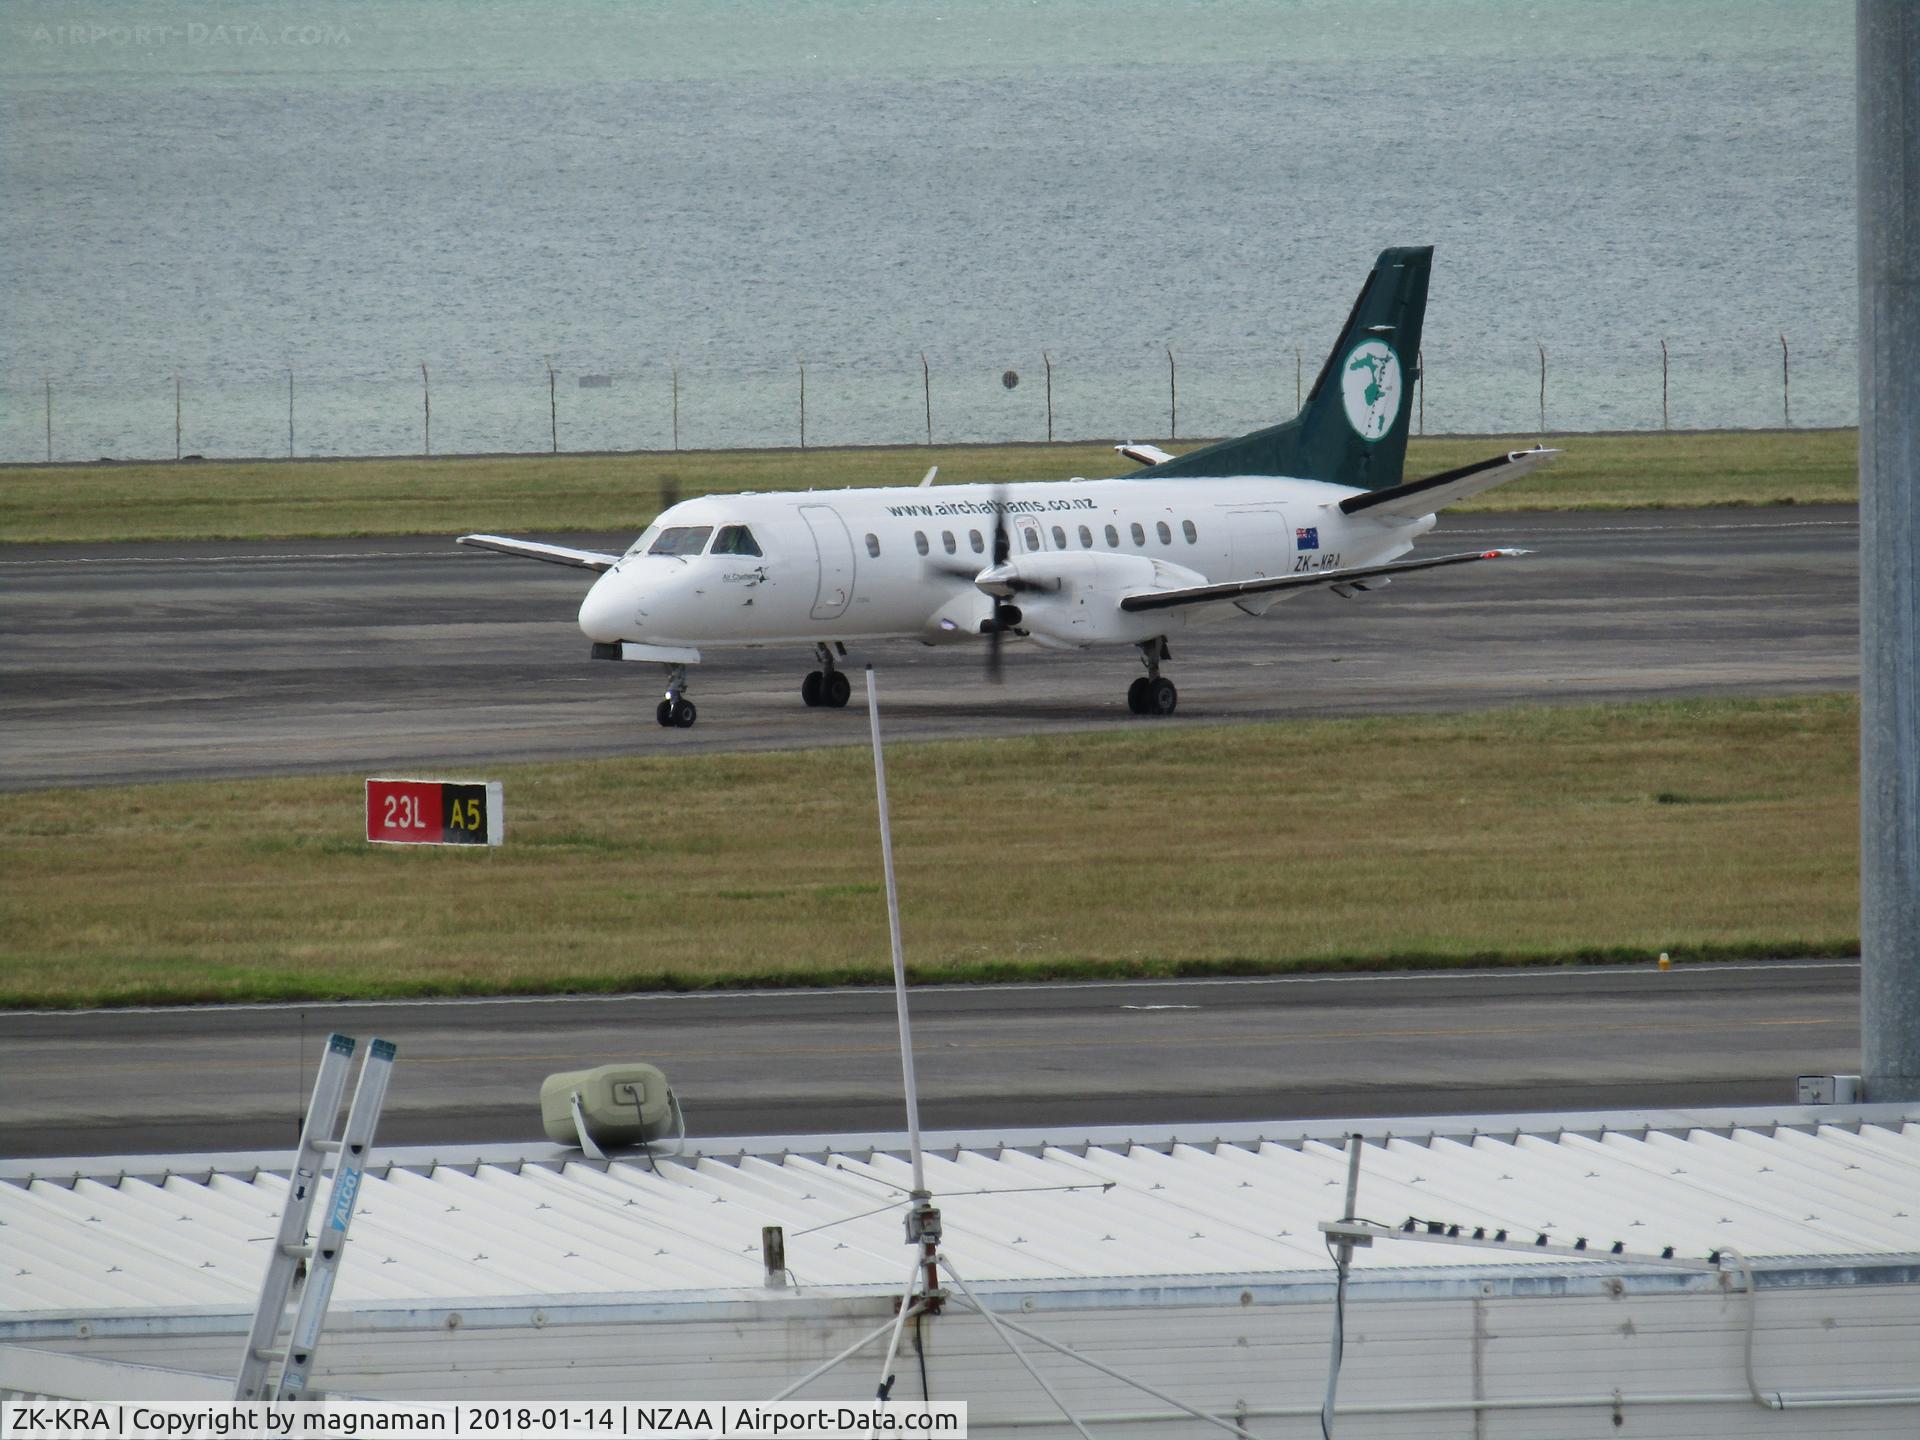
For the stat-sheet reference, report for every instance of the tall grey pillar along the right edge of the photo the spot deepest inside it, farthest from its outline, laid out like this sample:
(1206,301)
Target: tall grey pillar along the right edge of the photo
(1888,36)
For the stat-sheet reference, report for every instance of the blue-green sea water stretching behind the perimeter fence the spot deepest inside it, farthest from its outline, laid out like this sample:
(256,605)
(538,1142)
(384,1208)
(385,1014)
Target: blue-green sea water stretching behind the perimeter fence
(608,226)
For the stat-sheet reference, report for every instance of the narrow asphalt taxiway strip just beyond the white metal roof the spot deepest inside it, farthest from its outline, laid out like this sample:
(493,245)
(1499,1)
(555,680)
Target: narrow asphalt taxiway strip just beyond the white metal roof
(1147,1053)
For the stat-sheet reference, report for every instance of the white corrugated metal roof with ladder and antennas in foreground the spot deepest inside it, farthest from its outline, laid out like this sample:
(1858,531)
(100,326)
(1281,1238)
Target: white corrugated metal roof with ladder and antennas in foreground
(101,1236)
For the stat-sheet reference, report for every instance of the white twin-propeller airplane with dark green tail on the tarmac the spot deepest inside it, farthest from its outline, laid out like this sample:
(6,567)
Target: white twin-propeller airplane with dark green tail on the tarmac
(1224,531)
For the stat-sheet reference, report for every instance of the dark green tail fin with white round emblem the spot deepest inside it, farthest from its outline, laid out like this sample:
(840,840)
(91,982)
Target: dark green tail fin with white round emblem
(1353,429)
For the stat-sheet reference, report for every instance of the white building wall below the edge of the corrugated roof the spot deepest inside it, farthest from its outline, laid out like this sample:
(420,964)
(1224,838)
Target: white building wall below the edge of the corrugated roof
(1224,1358)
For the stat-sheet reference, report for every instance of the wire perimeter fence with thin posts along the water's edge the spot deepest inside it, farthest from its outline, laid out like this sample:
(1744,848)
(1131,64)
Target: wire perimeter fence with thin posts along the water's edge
(590,402)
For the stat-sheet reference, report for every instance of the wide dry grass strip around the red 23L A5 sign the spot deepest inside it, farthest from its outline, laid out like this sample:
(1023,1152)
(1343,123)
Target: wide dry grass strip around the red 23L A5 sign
(1533,836)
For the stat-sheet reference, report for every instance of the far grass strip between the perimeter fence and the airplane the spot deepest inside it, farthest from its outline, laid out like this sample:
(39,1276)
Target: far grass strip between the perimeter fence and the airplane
(560,494)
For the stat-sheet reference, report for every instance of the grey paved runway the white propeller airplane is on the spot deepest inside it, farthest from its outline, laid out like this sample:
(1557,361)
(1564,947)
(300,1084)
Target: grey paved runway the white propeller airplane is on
(174,661)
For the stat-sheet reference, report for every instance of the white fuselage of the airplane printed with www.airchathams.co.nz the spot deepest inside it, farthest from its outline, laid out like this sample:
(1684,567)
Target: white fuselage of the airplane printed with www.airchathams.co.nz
(898,564)
